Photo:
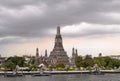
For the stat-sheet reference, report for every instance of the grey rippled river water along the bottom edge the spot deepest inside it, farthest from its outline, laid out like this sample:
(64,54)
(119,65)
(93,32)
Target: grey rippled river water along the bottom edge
(65,77)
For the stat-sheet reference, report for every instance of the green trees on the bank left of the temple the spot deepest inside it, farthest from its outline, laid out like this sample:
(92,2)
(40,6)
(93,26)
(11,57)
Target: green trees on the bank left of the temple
(11,62)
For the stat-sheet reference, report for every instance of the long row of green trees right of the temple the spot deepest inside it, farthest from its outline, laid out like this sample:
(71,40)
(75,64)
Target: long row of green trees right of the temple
(103,62)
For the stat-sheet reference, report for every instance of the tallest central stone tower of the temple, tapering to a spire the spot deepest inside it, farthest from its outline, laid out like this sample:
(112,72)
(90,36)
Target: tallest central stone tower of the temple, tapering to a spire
(58,54)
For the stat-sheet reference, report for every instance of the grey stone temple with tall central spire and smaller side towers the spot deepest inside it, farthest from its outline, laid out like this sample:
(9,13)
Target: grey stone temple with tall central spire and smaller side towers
(57,55)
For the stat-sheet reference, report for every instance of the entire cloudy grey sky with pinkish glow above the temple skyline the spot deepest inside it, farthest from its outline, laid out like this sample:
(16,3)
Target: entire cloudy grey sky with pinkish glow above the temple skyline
(91,26)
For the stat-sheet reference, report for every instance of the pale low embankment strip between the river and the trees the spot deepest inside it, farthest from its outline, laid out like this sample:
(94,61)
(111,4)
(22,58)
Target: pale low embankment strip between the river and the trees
(58,72)
